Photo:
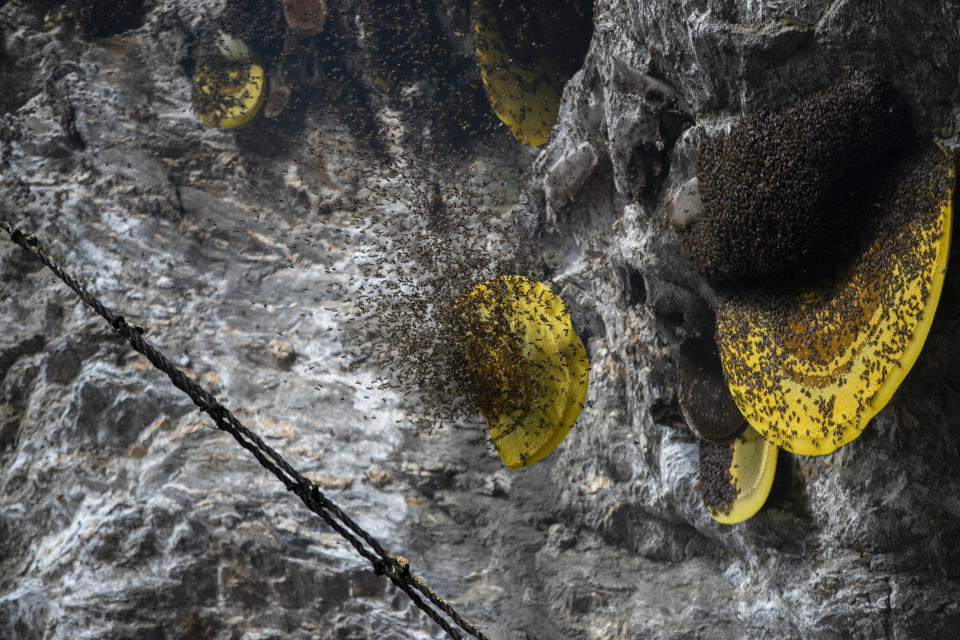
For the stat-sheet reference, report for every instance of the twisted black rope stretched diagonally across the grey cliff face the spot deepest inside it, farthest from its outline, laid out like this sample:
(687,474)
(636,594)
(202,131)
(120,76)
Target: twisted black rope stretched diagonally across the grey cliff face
(394,567)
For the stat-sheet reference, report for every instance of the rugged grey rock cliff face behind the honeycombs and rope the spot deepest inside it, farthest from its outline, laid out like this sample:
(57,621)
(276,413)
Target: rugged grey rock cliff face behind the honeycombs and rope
(124,515)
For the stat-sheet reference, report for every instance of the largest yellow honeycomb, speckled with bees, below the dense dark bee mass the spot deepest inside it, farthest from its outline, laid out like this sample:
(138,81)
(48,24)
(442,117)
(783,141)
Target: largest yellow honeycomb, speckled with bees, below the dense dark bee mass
(810,366)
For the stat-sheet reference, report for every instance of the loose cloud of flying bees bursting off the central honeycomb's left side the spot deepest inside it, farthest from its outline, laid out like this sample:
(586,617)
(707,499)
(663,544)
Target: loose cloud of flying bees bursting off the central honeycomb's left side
(449,360)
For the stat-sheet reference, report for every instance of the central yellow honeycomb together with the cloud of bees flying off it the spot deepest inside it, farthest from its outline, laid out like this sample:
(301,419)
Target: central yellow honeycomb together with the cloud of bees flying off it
(461,343)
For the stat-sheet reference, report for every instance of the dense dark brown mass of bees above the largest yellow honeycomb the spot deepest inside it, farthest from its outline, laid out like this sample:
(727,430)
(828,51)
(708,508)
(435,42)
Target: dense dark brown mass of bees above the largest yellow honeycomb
(768,190)
